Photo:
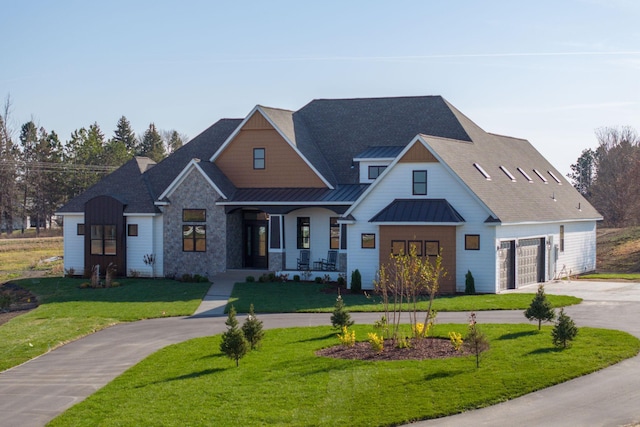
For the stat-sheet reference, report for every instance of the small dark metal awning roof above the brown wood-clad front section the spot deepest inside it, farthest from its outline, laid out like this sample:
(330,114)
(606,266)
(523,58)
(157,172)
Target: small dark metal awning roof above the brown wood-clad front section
(418,210)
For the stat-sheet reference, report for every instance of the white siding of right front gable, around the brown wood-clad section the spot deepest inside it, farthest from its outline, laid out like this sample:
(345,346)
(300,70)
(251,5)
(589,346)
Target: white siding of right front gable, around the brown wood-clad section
(397,184)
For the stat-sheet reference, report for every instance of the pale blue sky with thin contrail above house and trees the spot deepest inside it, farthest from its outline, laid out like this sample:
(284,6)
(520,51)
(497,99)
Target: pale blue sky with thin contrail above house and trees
(547,71)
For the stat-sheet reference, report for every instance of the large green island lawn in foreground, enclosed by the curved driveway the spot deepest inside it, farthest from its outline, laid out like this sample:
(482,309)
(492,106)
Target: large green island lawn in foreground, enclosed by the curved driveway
(284,383)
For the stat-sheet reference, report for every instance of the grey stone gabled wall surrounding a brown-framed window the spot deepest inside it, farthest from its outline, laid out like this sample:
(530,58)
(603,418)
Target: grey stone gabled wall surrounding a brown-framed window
(194,193)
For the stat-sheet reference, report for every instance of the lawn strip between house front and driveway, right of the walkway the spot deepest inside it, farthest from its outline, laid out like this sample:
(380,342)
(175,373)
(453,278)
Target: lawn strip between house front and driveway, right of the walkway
(292,297)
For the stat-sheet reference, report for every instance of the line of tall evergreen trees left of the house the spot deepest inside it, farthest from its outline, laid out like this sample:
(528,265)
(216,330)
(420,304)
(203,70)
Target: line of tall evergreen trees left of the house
(39,173)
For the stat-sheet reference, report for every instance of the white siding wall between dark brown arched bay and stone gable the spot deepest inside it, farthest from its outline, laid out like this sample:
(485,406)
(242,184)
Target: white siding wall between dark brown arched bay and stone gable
(141,245)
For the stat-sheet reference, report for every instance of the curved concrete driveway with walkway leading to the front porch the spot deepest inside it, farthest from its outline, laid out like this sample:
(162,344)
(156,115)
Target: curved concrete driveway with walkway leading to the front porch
(37,391)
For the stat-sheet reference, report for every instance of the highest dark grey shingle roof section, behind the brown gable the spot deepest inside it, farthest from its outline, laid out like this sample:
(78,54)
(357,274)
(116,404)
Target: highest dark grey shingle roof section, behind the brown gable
(330,132)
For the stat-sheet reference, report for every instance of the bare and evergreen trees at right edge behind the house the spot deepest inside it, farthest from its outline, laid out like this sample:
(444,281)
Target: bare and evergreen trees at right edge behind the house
(609,176)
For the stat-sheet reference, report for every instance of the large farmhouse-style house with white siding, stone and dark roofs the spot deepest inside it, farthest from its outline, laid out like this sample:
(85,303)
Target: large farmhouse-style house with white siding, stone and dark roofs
(336,186)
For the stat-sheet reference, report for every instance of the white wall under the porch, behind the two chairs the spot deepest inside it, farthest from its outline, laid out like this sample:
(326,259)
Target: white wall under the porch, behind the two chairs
(319,235)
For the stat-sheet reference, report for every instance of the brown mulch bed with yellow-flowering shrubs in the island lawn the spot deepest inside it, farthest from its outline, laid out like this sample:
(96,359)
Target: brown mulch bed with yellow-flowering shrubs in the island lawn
(426,348)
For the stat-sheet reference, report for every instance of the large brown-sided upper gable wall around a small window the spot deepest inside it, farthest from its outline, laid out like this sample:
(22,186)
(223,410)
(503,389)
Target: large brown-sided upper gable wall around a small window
(283,166)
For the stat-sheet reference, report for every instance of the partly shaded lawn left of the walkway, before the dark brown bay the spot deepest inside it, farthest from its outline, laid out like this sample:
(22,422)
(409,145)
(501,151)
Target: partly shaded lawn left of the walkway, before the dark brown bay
(67,312)
